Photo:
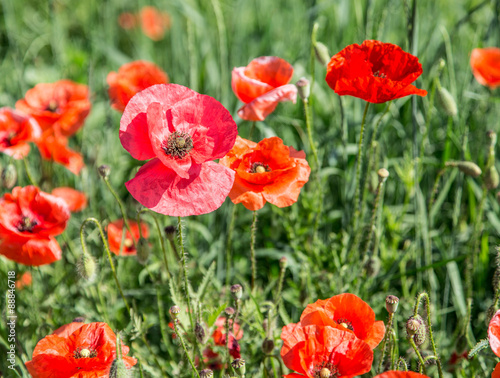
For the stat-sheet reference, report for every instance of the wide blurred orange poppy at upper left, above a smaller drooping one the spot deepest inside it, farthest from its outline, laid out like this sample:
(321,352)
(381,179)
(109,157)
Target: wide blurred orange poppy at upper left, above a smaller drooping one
(61,106)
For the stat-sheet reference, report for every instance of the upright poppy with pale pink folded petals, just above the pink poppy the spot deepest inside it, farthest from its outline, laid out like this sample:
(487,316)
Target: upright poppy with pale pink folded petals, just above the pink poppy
(261,85)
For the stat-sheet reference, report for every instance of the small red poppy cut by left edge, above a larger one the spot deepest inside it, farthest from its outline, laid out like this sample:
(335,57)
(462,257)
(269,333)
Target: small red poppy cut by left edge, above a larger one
(16,130)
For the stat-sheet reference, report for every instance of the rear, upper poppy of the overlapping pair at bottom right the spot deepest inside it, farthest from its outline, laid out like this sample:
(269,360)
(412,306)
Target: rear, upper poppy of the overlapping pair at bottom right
(346,312)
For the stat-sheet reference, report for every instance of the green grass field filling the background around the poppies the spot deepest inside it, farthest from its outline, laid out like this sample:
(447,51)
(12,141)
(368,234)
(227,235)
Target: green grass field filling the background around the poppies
(434,230)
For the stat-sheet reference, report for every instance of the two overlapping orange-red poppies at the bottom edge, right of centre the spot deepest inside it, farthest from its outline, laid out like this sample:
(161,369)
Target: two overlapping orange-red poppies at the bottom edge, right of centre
(334,338)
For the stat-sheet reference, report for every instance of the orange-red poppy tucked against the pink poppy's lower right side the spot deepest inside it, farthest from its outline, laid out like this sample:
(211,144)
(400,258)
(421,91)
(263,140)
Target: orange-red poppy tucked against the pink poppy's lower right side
(267,171)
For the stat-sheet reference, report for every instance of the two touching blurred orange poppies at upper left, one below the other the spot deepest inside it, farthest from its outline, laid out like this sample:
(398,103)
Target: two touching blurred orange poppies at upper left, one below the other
(60,109)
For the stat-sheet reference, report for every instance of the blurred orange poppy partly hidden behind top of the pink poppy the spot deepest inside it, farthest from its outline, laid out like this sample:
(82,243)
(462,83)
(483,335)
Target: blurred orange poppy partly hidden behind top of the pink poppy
(132,78)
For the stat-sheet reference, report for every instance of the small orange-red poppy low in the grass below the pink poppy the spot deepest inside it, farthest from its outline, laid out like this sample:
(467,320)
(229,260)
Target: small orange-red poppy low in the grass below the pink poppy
(115,233)
